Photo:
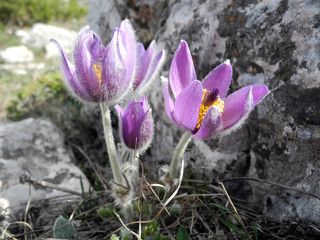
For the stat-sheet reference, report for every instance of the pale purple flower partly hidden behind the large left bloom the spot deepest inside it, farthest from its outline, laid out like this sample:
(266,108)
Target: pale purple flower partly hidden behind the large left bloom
(148,64)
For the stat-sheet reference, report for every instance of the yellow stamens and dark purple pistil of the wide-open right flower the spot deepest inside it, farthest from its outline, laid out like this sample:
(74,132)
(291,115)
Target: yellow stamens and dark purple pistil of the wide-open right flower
(209,98)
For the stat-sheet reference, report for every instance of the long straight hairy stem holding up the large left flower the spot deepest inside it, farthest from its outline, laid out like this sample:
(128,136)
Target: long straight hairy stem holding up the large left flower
(112,152)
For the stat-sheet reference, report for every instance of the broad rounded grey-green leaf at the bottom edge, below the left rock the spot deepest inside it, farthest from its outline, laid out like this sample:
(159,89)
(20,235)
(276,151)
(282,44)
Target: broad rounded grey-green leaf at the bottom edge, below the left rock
(63,229)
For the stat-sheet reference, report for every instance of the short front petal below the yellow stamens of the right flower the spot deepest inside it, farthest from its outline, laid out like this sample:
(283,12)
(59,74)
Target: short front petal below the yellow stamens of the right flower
(211,125)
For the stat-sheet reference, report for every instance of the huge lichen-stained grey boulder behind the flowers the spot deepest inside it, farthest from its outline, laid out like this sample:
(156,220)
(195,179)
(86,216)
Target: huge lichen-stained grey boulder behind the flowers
(275,43)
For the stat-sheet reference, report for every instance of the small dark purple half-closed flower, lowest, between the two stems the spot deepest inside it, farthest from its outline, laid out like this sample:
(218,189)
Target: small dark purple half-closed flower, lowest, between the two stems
(136,124)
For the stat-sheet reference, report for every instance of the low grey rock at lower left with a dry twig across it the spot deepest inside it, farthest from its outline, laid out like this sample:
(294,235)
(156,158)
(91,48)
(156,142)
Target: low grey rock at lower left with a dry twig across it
(36,148)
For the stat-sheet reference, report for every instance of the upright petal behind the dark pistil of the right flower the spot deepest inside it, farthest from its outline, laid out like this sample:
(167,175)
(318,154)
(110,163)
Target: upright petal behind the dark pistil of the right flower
(219,78)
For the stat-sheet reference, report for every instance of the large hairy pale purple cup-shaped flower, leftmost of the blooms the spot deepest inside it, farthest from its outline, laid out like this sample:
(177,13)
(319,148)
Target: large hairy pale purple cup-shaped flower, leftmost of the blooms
(100,73)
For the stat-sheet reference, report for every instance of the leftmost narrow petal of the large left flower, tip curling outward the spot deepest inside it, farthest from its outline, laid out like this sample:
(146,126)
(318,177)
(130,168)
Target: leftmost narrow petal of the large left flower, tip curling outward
(70,76)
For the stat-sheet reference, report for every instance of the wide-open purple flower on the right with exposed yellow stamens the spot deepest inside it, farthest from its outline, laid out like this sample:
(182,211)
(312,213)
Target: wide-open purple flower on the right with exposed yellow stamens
(202,107)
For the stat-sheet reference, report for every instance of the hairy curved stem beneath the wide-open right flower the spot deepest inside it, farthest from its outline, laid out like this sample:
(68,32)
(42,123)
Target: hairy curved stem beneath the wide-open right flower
(181,147)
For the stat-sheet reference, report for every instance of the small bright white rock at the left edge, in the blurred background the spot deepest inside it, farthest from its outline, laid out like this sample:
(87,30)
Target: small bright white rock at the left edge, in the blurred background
(17,54)
